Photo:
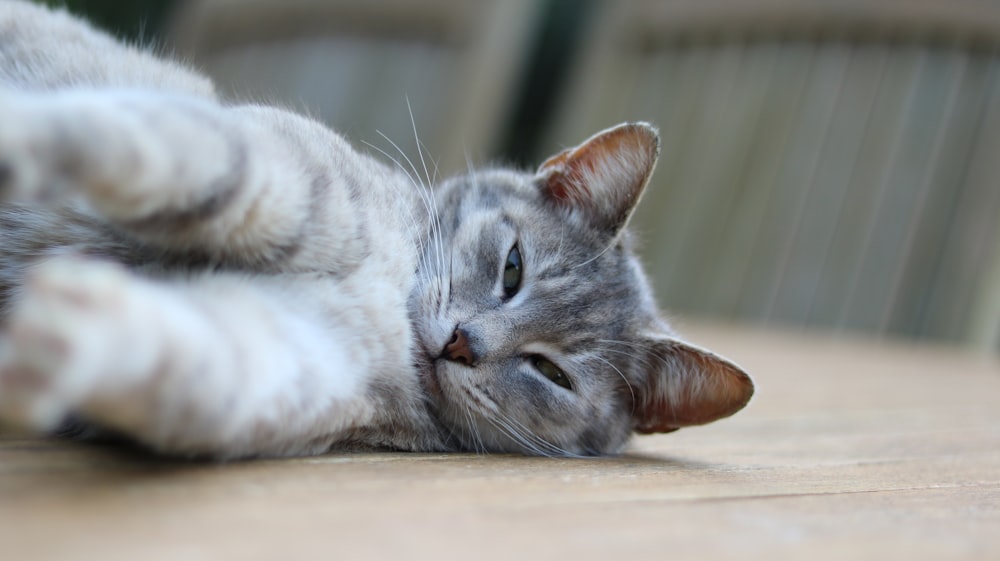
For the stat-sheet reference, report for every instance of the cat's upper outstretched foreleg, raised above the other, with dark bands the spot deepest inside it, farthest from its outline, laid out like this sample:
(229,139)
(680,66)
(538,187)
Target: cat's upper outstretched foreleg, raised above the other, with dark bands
(235,183)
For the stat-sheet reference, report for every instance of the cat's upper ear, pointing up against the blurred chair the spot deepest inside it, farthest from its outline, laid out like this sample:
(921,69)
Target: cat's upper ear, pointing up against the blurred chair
(602,179)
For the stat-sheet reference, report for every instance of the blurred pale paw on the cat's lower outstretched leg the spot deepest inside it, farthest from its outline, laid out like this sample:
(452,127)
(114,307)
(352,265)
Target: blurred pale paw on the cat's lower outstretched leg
(63,341)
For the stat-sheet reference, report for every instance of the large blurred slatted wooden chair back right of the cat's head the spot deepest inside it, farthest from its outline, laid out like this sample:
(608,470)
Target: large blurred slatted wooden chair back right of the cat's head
(831,163)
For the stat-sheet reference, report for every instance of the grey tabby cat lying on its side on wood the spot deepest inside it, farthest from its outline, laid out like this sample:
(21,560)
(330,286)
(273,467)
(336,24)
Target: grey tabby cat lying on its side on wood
(223,280)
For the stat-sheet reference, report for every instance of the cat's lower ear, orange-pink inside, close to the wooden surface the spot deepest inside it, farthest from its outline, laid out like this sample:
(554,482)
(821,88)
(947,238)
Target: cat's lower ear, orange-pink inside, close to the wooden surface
(685,385)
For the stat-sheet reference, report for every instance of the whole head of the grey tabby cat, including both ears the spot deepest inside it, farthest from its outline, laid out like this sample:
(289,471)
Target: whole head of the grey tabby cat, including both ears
(536,325)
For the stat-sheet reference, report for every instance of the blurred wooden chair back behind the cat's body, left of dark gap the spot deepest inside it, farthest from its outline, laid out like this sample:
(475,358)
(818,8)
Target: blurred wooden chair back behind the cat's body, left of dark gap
(358,64)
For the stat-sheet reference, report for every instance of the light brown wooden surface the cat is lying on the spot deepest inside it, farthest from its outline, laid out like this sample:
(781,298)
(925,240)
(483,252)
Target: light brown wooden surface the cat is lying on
(850,450)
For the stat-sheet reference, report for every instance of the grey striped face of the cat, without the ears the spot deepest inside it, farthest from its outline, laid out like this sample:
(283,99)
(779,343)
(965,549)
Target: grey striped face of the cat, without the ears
(534,325)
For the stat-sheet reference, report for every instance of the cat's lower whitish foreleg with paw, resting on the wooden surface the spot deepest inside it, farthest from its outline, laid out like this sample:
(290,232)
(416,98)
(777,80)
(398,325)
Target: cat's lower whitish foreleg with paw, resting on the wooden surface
(219,366)
